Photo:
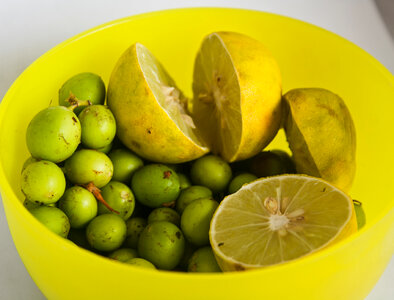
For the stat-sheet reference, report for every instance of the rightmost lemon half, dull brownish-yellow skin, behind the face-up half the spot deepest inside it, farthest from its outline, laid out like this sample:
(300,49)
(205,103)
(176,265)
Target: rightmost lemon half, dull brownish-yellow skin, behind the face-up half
(321,135)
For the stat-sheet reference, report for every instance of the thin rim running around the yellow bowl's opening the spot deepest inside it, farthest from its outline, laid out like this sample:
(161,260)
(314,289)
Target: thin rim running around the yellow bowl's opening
(6,189)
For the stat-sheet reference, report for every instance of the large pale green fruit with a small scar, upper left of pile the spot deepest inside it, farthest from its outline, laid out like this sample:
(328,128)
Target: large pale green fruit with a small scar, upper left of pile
(53,134)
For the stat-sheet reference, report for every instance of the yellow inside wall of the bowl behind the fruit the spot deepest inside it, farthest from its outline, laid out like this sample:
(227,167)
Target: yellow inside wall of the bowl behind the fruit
(308,57)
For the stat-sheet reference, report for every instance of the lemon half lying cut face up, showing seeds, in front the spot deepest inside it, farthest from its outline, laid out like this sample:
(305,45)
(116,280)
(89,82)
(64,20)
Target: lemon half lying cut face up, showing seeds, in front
(278,219)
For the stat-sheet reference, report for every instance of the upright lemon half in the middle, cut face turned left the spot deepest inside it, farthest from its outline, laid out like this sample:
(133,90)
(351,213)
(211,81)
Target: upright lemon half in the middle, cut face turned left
(237,92)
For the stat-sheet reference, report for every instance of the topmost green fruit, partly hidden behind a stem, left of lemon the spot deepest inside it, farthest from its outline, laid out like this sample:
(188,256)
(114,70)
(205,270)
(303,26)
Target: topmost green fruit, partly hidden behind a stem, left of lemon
(83,86)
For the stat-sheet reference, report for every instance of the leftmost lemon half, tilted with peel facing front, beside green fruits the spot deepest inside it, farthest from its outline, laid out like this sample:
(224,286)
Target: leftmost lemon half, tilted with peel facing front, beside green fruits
(151,112)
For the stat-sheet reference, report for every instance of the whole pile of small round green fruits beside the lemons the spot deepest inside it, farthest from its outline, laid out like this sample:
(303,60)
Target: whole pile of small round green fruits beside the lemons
(84,185)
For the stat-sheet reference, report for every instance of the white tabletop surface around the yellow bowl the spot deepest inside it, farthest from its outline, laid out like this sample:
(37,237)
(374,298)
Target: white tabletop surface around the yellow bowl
(30,28)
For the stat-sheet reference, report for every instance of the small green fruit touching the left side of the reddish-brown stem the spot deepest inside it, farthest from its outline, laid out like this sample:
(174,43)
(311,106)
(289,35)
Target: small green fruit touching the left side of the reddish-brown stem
(79,205)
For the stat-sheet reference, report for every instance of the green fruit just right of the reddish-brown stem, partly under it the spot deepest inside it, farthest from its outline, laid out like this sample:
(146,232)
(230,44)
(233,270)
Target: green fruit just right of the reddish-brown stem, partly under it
(119,197)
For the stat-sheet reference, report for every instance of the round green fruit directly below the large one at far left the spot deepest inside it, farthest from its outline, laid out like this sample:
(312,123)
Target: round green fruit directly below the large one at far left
(43,182)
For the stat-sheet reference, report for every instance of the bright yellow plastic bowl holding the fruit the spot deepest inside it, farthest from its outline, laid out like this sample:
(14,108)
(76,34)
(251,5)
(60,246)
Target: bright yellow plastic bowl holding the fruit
(308,57)
